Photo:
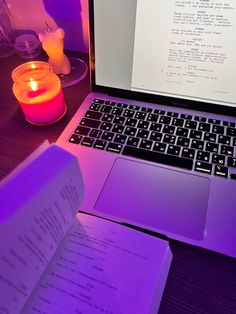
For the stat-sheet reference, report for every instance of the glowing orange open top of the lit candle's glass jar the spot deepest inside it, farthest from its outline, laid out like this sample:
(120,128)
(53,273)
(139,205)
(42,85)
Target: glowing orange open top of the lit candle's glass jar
(36,70)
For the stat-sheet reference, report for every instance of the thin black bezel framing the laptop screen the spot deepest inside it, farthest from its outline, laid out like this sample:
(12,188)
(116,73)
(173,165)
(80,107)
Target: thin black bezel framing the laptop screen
(152,98)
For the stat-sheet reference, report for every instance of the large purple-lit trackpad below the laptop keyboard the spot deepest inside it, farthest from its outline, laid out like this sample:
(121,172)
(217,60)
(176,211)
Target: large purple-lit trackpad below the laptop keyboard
(157,197)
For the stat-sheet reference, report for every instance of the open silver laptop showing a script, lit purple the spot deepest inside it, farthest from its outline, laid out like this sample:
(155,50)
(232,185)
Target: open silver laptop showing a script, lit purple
(156,137)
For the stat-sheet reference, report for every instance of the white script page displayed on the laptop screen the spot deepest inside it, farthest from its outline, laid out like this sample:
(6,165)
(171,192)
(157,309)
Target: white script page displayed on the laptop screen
(186,48)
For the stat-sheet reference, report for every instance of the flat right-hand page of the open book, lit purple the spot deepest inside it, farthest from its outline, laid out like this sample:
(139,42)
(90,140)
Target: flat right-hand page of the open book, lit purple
(102,267)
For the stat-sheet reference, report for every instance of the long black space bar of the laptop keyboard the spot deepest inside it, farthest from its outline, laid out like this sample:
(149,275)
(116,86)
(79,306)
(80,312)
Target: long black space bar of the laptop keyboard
(158,157)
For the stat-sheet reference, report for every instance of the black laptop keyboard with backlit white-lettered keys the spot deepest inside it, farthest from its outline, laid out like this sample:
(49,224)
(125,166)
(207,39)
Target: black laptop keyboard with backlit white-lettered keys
(181,140)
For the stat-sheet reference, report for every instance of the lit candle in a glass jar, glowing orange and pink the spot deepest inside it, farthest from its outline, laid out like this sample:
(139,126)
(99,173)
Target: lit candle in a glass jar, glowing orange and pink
(39,93)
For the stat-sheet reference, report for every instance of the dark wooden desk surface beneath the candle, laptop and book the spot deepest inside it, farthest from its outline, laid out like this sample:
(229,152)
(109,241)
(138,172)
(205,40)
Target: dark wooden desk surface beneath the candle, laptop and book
(199,281)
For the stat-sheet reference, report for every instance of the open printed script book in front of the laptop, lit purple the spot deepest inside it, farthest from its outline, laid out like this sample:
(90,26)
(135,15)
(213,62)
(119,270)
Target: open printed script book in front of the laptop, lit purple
(56,260)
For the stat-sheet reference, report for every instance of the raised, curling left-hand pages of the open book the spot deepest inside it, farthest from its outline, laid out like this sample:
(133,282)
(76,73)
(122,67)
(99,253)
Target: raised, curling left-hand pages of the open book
(31,233)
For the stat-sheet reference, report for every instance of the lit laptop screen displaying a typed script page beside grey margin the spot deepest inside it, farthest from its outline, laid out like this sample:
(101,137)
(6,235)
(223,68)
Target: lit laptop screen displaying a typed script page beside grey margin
(176,49)
